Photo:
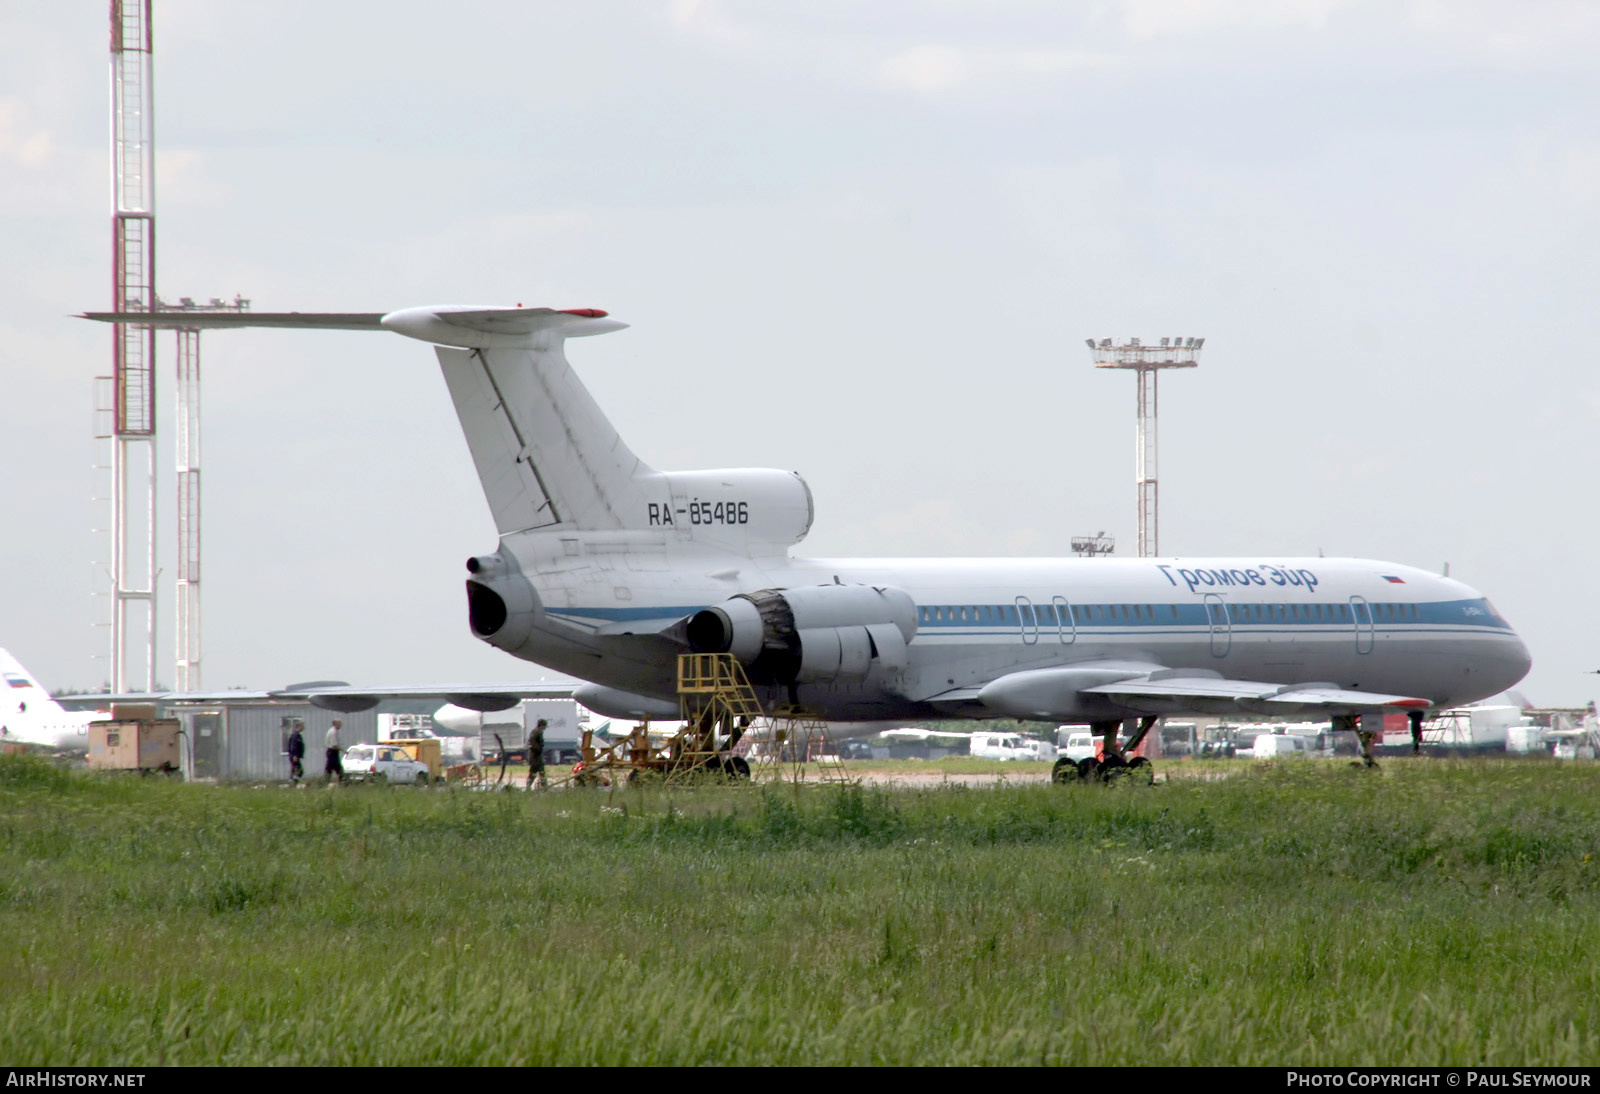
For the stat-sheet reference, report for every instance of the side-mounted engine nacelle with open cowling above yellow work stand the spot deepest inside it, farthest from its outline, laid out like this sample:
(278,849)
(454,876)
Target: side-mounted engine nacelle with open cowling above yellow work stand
(817,634)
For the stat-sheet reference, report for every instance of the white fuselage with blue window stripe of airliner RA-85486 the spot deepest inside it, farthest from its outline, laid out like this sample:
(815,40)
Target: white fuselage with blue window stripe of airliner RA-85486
(1356,625)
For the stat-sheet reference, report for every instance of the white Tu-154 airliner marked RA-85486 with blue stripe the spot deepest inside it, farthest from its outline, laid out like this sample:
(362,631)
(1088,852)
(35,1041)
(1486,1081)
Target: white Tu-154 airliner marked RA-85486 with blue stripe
(609,569)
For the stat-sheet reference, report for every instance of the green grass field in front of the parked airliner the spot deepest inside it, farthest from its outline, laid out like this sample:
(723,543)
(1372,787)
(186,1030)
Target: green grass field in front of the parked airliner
(1442,912)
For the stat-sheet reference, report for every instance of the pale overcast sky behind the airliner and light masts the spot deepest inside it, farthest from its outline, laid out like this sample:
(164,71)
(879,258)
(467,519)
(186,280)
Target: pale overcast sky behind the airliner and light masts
(858,241)
